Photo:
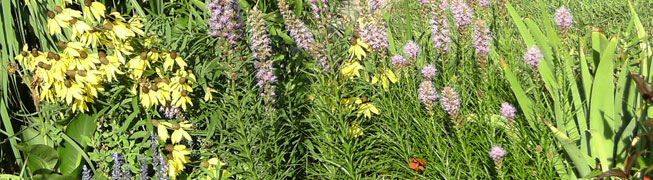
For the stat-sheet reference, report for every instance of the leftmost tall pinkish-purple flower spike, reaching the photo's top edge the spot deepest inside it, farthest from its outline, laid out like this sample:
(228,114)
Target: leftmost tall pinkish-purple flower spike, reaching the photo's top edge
(225,21)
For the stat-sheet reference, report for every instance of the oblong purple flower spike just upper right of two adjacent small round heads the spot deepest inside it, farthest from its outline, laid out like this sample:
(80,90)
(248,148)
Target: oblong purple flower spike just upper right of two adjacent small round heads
(440,32)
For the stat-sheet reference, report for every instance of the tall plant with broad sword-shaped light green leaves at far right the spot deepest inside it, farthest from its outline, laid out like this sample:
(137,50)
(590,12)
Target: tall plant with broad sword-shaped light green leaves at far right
(593,116)
